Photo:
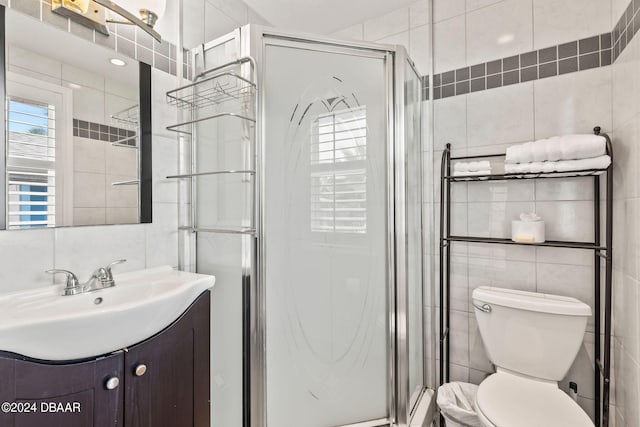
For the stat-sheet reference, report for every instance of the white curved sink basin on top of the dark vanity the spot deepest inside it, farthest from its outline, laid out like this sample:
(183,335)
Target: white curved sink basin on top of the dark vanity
(43,324)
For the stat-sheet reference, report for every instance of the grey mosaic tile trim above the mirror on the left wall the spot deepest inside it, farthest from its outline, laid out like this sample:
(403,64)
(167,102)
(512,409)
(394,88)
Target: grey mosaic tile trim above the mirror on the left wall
(128,40)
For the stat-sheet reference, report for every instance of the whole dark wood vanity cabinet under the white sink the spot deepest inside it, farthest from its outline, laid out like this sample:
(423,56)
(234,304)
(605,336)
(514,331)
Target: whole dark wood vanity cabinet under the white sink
(161,382)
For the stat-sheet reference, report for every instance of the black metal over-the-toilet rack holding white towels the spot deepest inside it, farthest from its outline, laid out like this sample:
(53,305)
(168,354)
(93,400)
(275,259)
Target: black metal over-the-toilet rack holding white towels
(602,363)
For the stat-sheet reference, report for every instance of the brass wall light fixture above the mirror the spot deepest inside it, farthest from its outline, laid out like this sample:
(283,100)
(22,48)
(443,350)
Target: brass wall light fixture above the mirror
(93,13)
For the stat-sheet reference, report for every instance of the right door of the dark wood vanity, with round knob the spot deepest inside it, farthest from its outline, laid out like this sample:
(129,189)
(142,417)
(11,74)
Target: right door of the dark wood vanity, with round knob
(167,376)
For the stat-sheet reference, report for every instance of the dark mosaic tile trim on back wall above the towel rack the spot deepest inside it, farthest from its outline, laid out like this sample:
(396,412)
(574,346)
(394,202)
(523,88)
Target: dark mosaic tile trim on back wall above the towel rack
(578,55)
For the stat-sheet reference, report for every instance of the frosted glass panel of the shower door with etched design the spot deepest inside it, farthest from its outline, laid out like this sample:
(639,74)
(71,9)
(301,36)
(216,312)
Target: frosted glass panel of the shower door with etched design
(326,247)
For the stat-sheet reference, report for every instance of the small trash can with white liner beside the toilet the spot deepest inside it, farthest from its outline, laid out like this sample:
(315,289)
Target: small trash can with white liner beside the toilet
(457,402)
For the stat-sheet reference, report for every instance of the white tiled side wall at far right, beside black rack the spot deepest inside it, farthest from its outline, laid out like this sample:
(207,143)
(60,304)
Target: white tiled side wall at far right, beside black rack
(625,133)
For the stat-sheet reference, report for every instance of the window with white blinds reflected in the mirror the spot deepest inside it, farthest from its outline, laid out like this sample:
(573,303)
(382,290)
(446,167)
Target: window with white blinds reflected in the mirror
(31,157)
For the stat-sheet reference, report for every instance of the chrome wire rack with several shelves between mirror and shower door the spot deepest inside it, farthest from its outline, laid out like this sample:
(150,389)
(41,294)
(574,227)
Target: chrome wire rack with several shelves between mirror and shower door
(212,88)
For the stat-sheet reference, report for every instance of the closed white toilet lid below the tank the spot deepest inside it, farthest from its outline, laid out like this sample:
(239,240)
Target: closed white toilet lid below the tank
(511,401)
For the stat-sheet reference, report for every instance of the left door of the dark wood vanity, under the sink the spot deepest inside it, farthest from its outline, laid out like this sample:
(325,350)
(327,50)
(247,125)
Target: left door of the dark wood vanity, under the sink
(73,395)
